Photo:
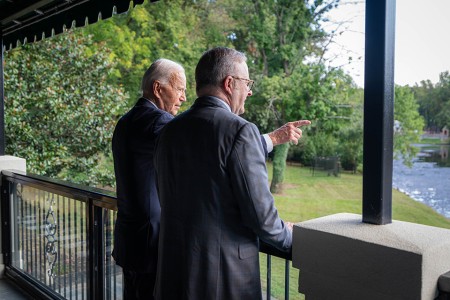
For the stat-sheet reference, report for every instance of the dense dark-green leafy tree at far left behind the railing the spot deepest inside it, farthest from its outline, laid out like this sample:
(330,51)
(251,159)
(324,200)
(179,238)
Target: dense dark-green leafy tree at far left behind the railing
(60,110)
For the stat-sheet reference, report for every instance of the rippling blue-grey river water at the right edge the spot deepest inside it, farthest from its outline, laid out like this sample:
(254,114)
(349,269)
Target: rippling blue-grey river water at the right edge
(428,180)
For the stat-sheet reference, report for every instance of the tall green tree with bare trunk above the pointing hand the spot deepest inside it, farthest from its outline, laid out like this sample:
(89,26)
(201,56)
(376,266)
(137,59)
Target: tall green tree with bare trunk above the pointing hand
(278,36)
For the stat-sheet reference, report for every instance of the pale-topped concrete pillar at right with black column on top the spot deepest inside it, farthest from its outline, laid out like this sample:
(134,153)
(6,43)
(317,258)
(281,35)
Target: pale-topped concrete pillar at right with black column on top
(340,257)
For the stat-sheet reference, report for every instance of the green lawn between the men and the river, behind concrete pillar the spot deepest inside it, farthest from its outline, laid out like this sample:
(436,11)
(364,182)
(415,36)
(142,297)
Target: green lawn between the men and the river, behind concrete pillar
(307,197)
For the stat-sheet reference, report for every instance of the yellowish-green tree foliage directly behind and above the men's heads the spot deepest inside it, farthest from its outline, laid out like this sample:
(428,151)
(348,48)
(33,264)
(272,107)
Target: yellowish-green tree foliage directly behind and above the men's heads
(179,30)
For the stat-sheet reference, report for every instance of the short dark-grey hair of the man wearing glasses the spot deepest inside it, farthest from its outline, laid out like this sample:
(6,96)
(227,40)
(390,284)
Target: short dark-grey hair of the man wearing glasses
(215,64)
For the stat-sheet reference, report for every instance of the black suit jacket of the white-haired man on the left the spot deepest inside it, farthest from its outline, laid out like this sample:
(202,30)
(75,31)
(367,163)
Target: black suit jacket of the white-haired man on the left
(137,226)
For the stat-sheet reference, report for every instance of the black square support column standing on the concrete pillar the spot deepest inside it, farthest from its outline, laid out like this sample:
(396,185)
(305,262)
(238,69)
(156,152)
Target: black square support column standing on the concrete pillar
(378,111)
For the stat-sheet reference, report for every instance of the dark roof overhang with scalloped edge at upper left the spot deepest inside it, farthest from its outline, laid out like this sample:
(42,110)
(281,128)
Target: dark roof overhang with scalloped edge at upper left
(25,21)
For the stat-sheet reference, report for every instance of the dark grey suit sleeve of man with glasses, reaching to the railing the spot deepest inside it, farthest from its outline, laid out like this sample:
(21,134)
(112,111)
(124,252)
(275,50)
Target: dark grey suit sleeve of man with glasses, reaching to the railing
(248,175)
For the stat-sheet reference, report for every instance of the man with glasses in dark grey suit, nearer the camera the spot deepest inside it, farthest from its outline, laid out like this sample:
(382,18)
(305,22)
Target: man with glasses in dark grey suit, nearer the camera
(213,189)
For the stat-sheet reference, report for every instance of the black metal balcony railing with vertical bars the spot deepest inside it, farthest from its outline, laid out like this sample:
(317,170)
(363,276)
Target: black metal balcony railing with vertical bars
(57,239)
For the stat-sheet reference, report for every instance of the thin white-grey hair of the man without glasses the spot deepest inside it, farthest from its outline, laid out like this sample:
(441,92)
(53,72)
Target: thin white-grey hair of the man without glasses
(161,69)
